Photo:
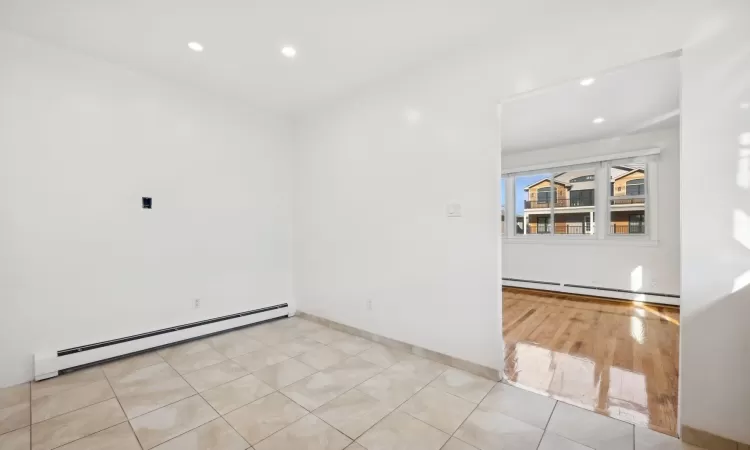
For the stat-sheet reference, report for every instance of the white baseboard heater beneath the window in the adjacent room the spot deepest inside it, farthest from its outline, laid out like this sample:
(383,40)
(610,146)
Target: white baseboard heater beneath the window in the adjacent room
(594,291)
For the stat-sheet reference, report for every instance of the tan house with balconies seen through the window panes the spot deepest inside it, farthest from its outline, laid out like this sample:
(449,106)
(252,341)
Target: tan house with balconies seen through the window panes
(573,195)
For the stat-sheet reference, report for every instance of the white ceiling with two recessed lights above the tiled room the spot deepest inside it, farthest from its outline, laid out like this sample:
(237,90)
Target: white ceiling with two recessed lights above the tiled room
(341,44)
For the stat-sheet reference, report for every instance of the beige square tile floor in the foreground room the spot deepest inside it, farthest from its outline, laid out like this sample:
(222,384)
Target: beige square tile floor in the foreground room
(293,384)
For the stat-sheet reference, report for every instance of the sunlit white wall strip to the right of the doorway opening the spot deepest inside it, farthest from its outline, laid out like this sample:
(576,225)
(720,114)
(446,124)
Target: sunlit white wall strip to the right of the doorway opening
(716,262)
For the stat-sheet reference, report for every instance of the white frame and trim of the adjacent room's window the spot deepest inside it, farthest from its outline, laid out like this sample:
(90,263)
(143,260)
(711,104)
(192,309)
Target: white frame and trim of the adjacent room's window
(602,197)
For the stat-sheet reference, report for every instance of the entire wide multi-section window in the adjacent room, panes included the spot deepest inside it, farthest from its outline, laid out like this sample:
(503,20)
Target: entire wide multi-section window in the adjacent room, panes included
(563,201)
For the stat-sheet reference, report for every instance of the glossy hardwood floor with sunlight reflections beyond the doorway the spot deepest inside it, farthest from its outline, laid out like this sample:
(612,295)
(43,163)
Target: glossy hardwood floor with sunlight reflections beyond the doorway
(616,358)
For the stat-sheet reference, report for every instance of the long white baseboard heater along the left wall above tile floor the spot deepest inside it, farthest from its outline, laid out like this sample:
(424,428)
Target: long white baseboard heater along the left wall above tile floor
(50,364)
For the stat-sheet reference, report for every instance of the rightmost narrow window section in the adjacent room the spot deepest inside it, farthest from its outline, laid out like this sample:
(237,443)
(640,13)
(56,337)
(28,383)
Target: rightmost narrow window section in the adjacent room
(627,203)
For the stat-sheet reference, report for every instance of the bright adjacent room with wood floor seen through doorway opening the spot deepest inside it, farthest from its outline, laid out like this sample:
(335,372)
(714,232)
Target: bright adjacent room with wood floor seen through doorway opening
(591,263)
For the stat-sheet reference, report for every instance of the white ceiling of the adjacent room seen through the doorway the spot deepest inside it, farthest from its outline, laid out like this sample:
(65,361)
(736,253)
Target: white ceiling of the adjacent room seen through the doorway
(637,97)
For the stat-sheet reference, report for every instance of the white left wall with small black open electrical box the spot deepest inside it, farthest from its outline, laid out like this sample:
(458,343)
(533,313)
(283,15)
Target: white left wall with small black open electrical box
(81,141)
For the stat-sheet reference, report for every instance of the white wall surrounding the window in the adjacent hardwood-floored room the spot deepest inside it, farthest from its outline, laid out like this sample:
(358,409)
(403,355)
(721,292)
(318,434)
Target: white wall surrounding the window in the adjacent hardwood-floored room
(607,263)
